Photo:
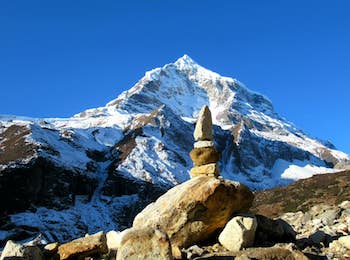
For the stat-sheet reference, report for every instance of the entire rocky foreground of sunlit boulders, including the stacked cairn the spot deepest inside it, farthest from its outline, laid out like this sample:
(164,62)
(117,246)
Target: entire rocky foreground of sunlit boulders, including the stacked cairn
(207,217)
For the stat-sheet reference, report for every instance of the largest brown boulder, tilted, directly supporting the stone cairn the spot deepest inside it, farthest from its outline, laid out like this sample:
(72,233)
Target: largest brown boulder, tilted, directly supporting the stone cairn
(192,211)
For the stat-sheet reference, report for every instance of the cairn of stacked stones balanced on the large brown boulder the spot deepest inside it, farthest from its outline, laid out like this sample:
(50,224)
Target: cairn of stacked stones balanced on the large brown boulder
(204,155)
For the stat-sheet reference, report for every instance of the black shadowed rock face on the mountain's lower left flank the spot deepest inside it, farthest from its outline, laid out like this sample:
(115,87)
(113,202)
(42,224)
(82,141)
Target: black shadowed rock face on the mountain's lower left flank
(41,184)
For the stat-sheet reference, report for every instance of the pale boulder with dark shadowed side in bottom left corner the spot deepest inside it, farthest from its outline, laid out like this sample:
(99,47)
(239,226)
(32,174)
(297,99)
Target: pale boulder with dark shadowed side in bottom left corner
(13,250)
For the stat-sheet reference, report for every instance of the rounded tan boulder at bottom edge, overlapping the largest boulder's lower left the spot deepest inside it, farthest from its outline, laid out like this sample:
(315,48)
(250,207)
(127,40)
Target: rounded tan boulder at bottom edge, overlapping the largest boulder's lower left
(144,243)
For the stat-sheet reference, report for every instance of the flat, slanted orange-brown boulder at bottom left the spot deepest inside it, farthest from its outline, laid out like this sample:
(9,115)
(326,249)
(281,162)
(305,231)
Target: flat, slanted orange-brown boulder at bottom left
(89,245)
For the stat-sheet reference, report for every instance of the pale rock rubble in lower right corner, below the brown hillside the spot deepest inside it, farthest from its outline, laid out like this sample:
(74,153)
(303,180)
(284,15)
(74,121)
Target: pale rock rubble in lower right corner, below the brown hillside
(324,230)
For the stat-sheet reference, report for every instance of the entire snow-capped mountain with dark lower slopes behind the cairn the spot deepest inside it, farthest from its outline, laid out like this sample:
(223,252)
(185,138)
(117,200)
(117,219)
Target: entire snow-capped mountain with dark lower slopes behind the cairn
(95,170)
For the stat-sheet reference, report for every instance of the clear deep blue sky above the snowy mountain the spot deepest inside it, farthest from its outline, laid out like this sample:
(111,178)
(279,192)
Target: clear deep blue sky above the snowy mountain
(58,58)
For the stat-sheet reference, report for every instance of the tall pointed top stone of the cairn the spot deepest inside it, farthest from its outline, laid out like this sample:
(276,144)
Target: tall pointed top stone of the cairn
(204,126)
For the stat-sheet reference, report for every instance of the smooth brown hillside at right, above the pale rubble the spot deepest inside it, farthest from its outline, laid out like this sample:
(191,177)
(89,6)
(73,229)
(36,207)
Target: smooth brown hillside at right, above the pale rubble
(330,188)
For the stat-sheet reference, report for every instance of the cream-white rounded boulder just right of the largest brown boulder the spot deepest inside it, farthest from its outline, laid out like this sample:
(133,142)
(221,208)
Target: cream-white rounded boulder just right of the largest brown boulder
(239,233)
